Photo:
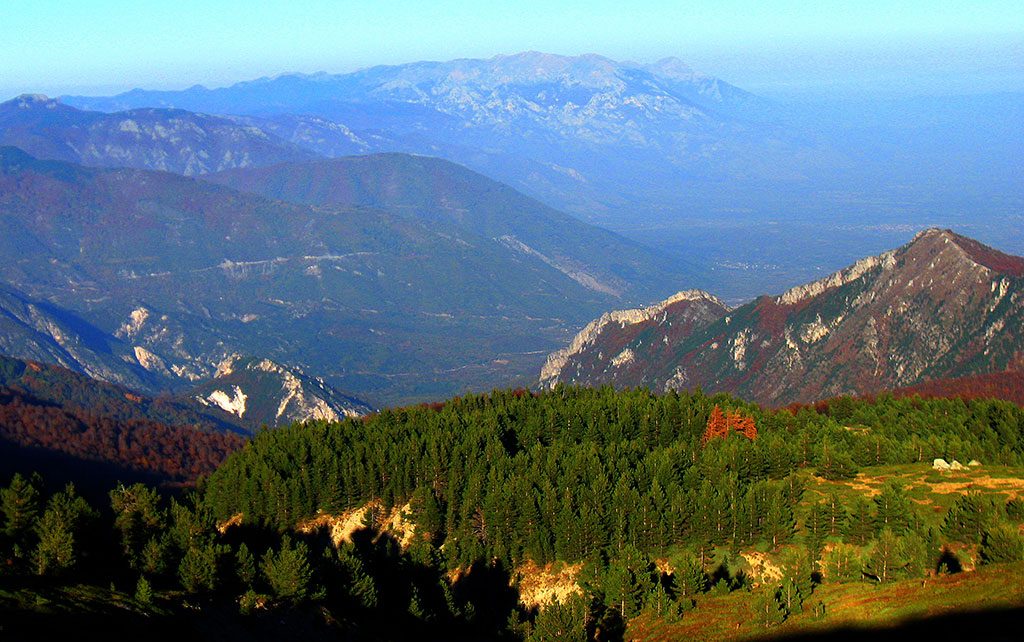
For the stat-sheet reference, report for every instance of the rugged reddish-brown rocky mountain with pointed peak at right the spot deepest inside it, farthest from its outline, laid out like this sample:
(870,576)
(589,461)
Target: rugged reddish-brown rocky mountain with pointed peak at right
(942,307)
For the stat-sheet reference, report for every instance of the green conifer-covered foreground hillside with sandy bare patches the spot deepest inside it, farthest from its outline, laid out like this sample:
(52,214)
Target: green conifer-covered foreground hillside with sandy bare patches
(571,515)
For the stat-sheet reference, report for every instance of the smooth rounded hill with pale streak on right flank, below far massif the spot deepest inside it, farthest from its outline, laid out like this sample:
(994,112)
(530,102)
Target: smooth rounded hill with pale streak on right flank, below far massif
(434,190)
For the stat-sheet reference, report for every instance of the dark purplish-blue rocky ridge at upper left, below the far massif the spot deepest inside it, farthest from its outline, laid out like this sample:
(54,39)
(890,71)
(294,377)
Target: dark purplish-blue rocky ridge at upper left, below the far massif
(147,139)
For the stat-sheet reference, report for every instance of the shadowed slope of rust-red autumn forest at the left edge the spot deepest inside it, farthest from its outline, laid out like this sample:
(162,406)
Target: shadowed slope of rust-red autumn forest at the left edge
(75,429)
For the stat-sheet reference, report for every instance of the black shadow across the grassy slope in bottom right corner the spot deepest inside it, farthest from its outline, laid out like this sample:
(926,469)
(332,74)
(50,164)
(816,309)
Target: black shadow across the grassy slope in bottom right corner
(990,625)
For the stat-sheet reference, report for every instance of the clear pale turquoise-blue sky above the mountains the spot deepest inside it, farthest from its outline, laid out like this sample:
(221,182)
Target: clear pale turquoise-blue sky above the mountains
(775,48)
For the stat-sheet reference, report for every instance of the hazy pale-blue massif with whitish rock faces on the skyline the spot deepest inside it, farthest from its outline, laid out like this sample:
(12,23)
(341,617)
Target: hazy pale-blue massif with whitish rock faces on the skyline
(585,134)
